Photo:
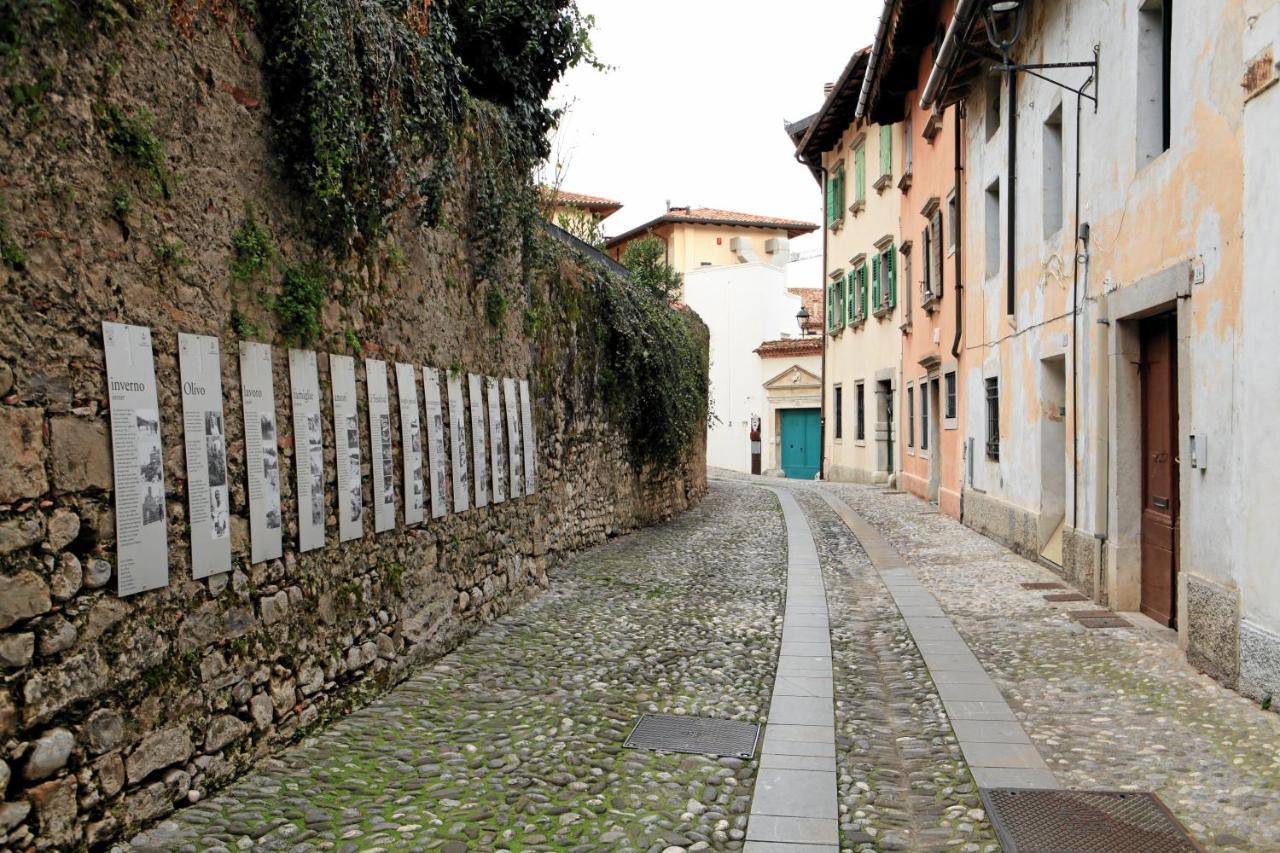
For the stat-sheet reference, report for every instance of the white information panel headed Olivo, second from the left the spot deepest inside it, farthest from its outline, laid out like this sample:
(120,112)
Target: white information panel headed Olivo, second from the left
(205,439)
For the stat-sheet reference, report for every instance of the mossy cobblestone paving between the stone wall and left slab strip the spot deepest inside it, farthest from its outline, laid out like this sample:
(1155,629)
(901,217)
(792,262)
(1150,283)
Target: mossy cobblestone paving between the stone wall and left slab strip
(514,742)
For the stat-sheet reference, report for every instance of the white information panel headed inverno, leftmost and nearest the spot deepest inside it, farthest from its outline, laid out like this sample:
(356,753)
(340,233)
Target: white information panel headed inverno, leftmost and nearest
(143,548)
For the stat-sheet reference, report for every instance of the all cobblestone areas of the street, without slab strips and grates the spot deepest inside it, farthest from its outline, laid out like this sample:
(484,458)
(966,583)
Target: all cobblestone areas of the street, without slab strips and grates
(515,741)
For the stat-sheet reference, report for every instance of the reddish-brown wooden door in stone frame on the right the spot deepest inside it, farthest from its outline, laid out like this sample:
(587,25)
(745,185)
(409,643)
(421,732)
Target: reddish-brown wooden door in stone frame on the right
(1160,469)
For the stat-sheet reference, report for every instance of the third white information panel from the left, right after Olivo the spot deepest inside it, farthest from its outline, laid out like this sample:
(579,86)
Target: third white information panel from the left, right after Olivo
(262,453)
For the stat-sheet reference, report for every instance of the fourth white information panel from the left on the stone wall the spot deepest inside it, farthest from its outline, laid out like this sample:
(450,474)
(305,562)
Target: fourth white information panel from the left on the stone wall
(308,448)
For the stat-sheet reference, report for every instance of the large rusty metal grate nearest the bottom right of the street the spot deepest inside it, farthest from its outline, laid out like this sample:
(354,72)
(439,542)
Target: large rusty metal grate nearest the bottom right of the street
(1030,820)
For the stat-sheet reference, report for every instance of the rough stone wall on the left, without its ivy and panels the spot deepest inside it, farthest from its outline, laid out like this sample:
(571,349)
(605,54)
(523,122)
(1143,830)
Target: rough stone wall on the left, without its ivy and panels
(115,710)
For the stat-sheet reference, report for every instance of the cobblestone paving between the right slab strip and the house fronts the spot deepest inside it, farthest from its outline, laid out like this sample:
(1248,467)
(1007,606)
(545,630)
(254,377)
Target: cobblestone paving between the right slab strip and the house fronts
(1108,709)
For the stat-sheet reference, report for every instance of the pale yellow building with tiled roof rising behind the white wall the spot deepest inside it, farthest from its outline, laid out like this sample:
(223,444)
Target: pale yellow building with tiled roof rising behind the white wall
(700,238)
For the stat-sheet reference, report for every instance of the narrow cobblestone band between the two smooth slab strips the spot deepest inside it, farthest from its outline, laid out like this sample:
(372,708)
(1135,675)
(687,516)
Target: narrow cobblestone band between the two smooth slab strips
(903,782)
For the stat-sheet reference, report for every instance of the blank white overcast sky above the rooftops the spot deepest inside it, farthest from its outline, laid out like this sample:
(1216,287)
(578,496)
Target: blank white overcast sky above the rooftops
(693,110)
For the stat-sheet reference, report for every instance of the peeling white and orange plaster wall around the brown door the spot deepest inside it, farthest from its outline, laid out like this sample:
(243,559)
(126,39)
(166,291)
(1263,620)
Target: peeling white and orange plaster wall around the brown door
(1183,211)
